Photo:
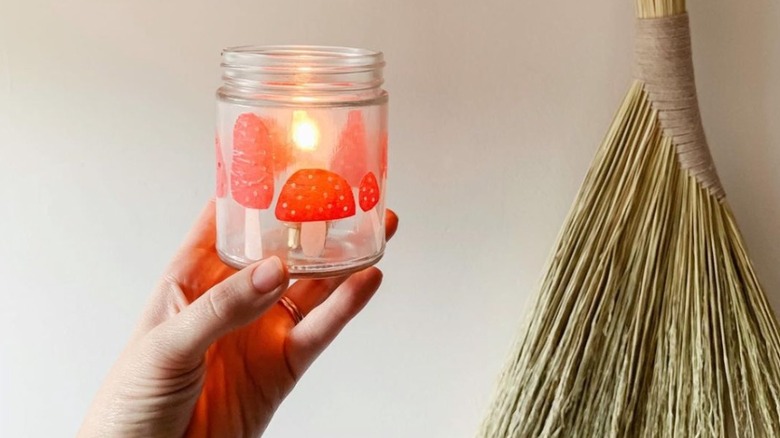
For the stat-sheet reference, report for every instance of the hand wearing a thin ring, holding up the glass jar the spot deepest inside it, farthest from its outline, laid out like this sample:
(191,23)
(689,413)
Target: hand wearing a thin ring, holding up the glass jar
(213,355)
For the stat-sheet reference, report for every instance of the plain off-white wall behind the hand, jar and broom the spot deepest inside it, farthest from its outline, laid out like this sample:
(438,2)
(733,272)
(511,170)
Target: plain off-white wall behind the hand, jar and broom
(497,107)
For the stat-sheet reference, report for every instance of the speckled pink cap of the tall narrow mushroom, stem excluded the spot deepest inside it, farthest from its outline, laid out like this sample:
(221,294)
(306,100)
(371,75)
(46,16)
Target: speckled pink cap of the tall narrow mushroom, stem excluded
(251,174)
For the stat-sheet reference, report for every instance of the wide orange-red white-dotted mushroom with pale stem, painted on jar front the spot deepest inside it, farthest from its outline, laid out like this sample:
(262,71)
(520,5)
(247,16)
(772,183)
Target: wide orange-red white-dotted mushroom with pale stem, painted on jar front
(309,199)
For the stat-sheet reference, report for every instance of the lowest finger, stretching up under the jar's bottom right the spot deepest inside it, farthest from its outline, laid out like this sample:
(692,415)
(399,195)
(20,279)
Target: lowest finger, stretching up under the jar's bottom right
(312,335)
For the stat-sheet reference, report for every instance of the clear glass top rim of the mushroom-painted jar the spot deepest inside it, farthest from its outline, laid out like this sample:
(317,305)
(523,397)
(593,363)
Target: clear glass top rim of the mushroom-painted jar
(279,58)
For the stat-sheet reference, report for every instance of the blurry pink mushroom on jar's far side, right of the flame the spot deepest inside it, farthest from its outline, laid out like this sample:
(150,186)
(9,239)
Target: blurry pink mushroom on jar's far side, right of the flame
(350,156)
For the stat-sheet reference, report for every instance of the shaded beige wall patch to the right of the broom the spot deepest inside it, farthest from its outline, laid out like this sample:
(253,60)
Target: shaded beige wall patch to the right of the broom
(738,43)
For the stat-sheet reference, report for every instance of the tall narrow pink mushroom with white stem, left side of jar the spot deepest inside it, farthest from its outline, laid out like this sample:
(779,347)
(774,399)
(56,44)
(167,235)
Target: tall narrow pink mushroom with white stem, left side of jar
(252,177)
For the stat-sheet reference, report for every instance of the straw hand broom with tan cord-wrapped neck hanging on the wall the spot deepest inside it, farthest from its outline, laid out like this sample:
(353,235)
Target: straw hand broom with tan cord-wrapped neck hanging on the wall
(650,321)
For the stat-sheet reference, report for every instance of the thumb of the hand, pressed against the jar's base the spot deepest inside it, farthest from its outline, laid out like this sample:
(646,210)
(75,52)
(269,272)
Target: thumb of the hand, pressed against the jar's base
(236,301)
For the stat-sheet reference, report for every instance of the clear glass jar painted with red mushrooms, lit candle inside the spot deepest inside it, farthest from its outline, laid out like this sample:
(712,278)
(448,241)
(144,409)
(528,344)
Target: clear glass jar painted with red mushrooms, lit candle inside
(301,158)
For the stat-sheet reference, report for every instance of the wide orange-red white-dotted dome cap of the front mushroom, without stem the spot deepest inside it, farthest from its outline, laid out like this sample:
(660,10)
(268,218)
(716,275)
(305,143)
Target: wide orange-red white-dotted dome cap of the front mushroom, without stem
(311,195)
